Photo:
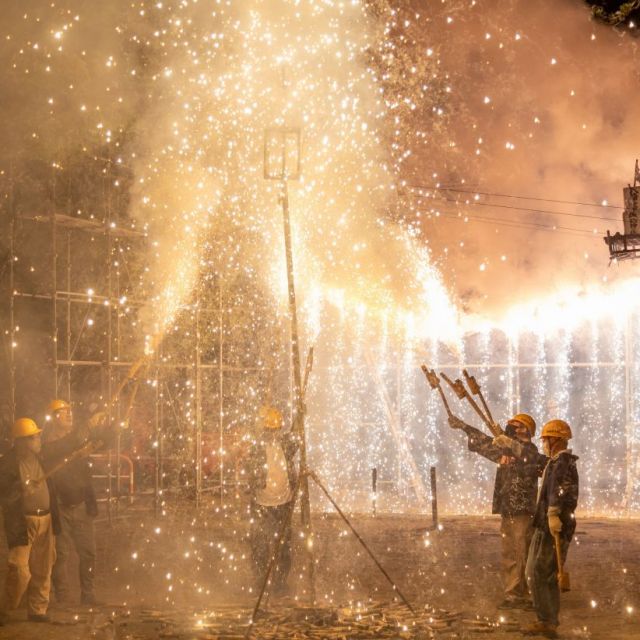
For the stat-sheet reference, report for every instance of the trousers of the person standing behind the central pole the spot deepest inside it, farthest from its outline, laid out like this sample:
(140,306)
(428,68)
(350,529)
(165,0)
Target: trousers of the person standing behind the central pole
(265,528)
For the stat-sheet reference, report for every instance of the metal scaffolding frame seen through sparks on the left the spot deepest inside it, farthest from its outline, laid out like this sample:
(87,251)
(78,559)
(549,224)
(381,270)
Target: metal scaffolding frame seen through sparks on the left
(66,335)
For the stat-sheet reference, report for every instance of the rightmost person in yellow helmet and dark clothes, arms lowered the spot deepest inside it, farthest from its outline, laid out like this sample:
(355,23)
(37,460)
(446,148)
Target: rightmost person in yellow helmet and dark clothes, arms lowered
(554,522)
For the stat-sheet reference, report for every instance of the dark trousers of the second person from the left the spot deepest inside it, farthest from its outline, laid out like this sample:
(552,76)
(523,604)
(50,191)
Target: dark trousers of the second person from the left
(76,532)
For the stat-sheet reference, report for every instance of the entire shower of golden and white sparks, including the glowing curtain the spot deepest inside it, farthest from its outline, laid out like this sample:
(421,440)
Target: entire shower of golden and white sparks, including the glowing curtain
(204,81)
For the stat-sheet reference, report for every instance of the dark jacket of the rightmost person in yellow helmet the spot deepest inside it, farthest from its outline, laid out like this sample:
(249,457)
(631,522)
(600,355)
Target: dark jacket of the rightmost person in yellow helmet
(560,487)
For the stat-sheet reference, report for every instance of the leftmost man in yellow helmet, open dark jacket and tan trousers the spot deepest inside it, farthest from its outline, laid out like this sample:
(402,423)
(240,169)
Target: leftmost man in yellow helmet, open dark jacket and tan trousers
(30,510)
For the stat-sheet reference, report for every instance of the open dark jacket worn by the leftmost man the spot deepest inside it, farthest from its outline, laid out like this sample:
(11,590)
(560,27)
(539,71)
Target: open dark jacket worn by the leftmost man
(15,524)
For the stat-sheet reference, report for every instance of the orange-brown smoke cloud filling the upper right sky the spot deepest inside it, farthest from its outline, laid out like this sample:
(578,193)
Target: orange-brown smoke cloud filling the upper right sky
(542,103)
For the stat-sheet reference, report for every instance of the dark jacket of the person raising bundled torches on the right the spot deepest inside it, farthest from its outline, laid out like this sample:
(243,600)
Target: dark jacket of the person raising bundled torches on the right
(516,484)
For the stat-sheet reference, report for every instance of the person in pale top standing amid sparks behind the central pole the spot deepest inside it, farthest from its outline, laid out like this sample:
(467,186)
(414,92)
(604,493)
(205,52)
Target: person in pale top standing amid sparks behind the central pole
(272,482)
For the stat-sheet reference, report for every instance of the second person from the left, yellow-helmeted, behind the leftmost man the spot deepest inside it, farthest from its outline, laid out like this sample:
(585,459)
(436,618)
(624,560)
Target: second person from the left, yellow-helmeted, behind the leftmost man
(78,508)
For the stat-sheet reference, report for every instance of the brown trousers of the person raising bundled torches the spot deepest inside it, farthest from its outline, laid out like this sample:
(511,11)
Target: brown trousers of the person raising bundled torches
(516,532)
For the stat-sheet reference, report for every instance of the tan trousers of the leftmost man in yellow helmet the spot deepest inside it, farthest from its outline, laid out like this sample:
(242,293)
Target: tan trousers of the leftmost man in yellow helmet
(29,567)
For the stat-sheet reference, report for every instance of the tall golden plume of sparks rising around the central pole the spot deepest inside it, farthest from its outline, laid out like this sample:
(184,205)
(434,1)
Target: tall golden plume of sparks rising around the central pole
(227,72)
